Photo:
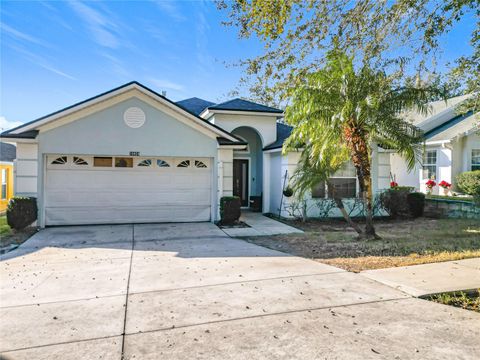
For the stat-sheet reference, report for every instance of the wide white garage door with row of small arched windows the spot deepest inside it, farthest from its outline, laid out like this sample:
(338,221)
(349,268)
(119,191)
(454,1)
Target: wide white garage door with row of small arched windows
(102,190)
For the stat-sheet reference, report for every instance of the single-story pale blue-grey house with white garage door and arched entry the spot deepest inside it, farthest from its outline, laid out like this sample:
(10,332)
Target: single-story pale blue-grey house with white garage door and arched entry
(132,155)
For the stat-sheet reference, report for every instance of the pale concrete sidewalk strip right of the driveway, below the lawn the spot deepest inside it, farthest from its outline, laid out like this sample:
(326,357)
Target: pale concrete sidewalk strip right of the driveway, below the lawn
(426,279)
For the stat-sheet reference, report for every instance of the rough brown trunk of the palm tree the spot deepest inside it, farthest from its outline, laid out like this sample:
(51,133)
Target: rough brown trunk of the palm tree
(360,151)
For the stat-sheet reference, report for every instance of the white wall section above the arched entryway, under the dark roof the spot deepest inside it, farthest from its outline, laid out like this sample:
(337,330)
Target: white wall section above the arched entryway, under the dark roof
(266,126)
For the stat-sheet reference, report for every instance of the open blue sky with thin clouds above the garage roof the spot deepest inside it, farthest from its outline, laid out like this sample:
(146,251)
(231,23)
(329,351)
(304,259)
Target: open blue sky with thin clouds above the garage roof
(56,53)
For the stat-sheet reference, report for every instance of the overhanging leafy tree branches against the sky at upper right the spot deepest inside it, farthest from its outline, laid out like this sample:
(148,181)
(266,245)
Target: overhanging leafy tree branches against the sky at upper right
(399,36)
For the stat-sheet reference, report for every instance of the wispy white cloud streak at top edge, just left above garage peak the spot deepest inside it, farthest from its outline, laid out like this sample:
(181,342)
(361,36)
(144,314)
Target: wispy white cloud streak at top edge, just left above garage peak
(101,27)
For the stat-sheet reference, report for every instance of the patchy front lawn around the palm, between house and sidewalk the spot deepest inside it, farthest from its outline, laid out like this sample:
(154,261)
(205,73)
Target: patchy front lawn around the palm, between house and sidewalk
(404,242)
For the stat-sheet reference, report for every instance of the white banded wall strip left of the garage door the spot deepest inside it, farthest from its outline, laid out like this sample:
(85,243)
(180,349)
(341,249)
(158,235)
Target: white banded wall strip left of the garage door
(26,170)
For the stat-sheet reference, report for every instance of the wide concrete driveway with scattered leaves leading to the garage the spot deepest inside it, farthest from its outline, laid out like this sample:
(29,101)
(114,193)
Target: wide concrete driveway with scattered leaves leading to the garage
(187,291)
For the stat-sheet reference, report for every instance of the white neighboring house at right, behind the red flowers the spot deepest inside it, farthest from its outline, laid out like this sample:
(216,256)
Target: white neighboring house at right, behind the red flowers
(452,146)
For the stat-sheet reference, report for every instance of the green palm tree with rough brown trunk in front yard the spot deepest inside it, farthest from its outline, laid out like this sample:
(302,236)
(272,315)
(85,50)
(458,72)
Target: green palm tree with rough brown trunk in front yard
(340,112)
